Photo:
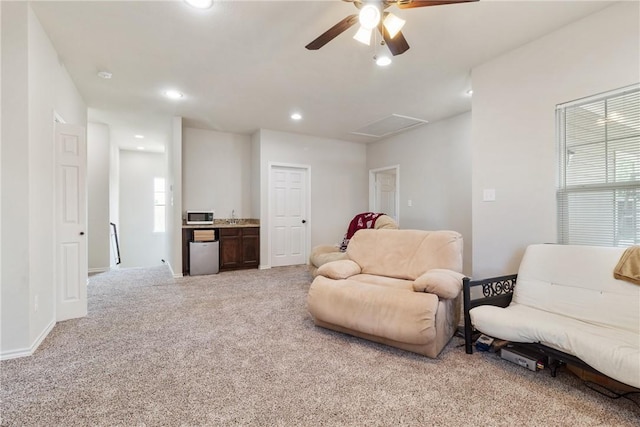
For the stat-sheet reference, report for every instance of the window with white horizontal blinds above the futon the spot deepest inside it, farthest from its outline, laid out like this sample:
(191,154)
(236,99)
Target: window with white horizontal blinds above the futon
(599,159)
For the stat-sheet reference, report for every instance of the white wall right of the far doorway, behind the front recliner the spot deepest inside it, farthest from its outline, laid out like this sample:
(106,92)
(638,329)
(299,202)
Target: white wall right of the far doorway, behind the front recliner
(435,174)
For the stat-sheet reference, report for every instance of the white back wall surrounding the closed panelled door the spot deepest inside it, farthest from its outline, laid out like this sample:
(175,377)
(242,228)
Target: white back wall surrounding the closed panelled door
(339,182)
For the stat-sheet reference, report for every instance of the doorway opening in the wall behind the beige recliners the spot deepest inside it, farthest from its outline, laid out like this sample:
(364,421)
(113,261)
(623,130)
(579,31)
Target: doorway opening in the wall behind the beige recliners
(384,187)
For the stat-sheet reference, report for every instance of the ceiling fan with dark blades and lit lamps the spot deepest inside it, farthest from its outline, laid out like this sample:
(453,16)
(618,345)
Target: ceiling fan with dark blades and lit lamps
(373,14)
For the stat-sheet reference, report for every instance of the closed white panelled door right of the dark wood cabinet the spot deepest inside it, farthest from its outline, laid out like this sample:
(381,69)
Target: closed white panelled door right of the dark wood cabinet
(288,217)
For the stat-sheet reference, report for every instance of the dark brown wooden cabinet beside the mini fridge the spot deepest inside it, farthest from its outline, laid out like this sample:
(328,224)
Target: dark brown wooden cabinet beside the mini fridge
(239,248)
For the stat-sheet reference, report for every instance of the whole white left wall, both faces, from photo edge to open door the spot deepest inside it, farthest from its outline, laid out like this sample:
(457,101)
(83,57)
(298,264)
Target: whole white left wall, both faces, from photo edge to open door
(34,86)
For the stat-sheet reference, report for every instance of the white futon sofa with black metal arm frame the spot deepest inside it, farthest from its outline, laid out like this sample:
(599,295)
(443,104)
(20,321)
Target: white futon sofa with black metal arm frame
(566,301)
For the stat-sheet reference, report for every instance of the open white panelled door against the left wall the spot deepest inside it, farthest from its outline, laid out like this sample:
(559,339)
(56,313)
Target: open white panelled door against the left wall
(71,221)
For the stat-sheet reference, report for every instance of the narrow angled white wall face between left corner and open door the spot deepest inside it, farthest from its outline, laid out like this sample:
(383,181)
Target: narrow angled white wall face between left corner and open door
(50,89)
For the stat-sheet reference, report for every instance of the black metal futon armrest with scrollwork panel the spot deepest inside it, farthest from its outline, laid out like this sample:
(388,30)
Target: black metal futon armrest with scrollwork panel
(496,291)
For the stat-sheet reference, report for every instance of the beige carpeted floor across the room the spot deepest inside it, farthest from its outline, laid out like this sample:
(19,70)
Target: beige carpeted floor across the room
(239,348)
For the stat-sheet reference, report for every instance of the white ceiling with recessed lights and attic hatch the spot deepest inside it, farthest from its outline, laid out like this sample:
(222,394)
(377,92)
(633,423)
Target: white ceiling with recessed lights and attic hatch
(242,65)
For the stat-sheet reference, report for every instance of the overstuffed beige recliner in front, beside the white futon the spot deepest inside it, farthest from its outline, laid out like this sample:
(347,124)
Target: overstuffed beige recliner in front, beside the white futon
(398,287)
